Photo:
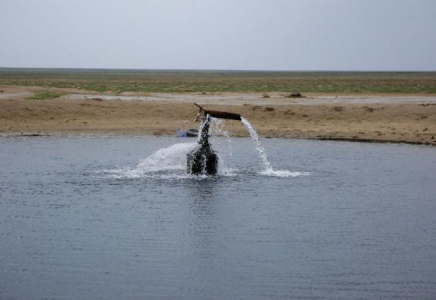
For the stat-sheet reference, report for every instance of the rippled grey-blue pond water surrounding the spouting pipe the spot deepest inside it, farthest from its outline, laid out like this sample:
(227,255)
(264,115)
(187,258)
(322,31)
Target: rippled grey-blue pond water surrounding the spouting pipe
(108,217)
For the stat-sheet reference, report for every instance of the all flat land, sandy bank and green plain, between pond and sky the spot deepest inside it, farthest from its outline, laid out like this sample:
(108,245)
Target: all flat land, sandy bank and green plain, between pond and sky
(360,106)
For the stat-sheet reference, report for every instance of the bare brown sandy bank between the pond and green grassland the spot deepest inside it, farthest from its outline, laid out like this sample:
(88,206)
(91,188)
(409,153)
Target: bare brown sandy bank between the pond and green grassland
(375,118)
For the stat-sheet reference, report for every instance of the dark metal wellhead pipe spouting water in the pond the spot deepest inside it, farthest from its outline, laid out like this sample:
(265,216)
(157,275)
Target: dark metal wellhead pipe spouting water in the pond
(203,160)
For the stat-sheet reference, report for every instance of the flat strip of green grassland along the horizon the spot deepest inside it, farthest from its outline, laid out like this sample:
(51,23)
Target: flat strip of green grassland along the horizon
(118,81)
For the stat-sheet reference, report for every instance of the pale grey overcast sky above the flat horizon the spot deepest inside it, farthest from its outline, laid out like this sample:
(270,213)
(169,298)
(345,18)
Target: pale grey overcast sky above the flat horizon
(285,35)
